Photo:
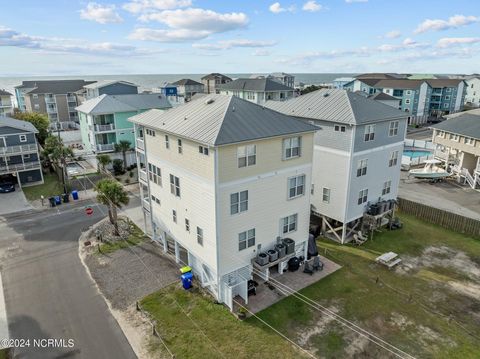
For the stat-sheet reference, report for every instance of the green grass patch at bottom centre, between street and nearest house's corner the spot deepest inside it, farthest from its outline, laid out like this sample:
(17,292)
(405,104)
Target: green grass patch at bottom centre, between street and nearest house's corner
(231,337)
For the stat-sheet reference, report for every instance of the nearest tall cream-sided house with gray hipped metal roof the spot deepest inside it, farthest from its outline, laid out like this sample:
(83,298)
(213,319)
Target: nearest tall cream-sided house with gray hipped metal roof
(216,181)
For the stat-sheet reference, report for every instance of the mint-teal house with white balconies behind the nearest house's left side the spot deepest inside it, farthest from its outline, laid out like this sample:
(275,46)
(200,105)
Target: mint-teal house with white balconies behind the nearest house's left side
(103,119)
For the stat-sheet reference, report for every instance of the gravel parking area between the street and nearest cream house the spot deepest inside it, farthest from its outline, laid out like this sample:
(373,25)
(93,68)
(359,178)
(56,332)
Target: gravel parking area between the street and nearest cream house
(129,274)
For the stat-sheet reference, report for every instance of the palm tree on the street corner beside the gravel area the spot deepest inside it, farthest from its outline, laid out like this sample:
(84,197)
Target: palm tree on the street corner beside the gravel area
(112,195)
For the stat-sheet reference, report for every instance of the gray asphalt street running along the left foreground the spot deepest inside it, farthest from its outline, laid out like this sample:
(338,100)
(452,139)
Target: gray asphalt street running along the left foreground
(47,291)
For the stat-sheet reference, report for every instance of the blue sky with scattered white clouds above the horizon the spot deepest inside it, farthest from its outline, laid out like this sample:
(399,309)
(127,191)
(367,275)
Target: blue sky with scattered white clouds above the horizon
(53,37)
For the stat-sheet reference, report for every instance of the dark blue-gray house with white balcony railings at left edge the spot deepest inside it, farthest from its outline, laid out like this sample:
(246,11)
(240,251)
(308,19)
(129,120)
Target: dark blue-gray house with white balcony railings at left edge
(19,157)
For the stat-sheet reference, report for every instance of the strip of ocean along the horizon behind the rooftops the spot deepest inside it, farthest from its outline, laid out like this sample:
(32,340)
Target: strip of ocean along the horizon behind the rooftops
(150,81)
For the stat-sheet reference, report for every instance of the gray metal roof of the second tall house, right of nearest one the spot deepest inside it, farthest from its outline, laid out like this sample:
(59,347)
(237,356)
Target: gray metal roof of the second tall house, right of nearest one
(337,105)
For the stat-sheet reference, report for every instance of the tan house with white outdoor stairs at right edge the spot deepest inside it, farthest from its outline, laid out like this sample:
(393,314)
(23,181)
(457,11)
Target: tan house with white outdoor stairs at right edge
(457,143)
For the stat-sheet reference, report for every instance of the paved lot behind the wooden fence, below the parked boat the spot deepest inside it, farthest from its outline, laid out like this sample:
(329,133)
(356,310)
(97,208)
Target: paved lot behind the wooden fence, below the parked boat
(446,195)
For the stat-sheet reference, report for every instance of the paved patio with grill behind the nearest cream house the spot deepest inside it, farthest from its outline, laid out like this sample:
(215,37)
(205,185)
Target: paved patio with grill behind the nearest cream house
(293,280)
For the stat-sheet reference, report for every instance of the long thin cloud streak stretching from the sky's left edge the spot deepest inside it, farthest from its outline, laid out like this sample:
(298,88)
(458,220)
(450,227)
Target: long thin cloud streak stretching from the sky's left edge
(13,38)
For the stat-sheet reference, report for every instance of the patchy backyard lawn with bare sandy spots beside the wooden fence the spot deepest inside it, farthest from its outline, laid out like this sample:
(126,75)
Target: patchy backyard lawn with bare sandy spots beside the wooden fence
(409,310)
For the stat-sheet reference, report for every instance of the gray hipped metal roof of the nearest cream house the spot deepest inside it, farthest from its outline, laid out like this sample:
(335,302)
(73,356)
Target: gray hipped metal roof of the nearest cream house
(220,119)
